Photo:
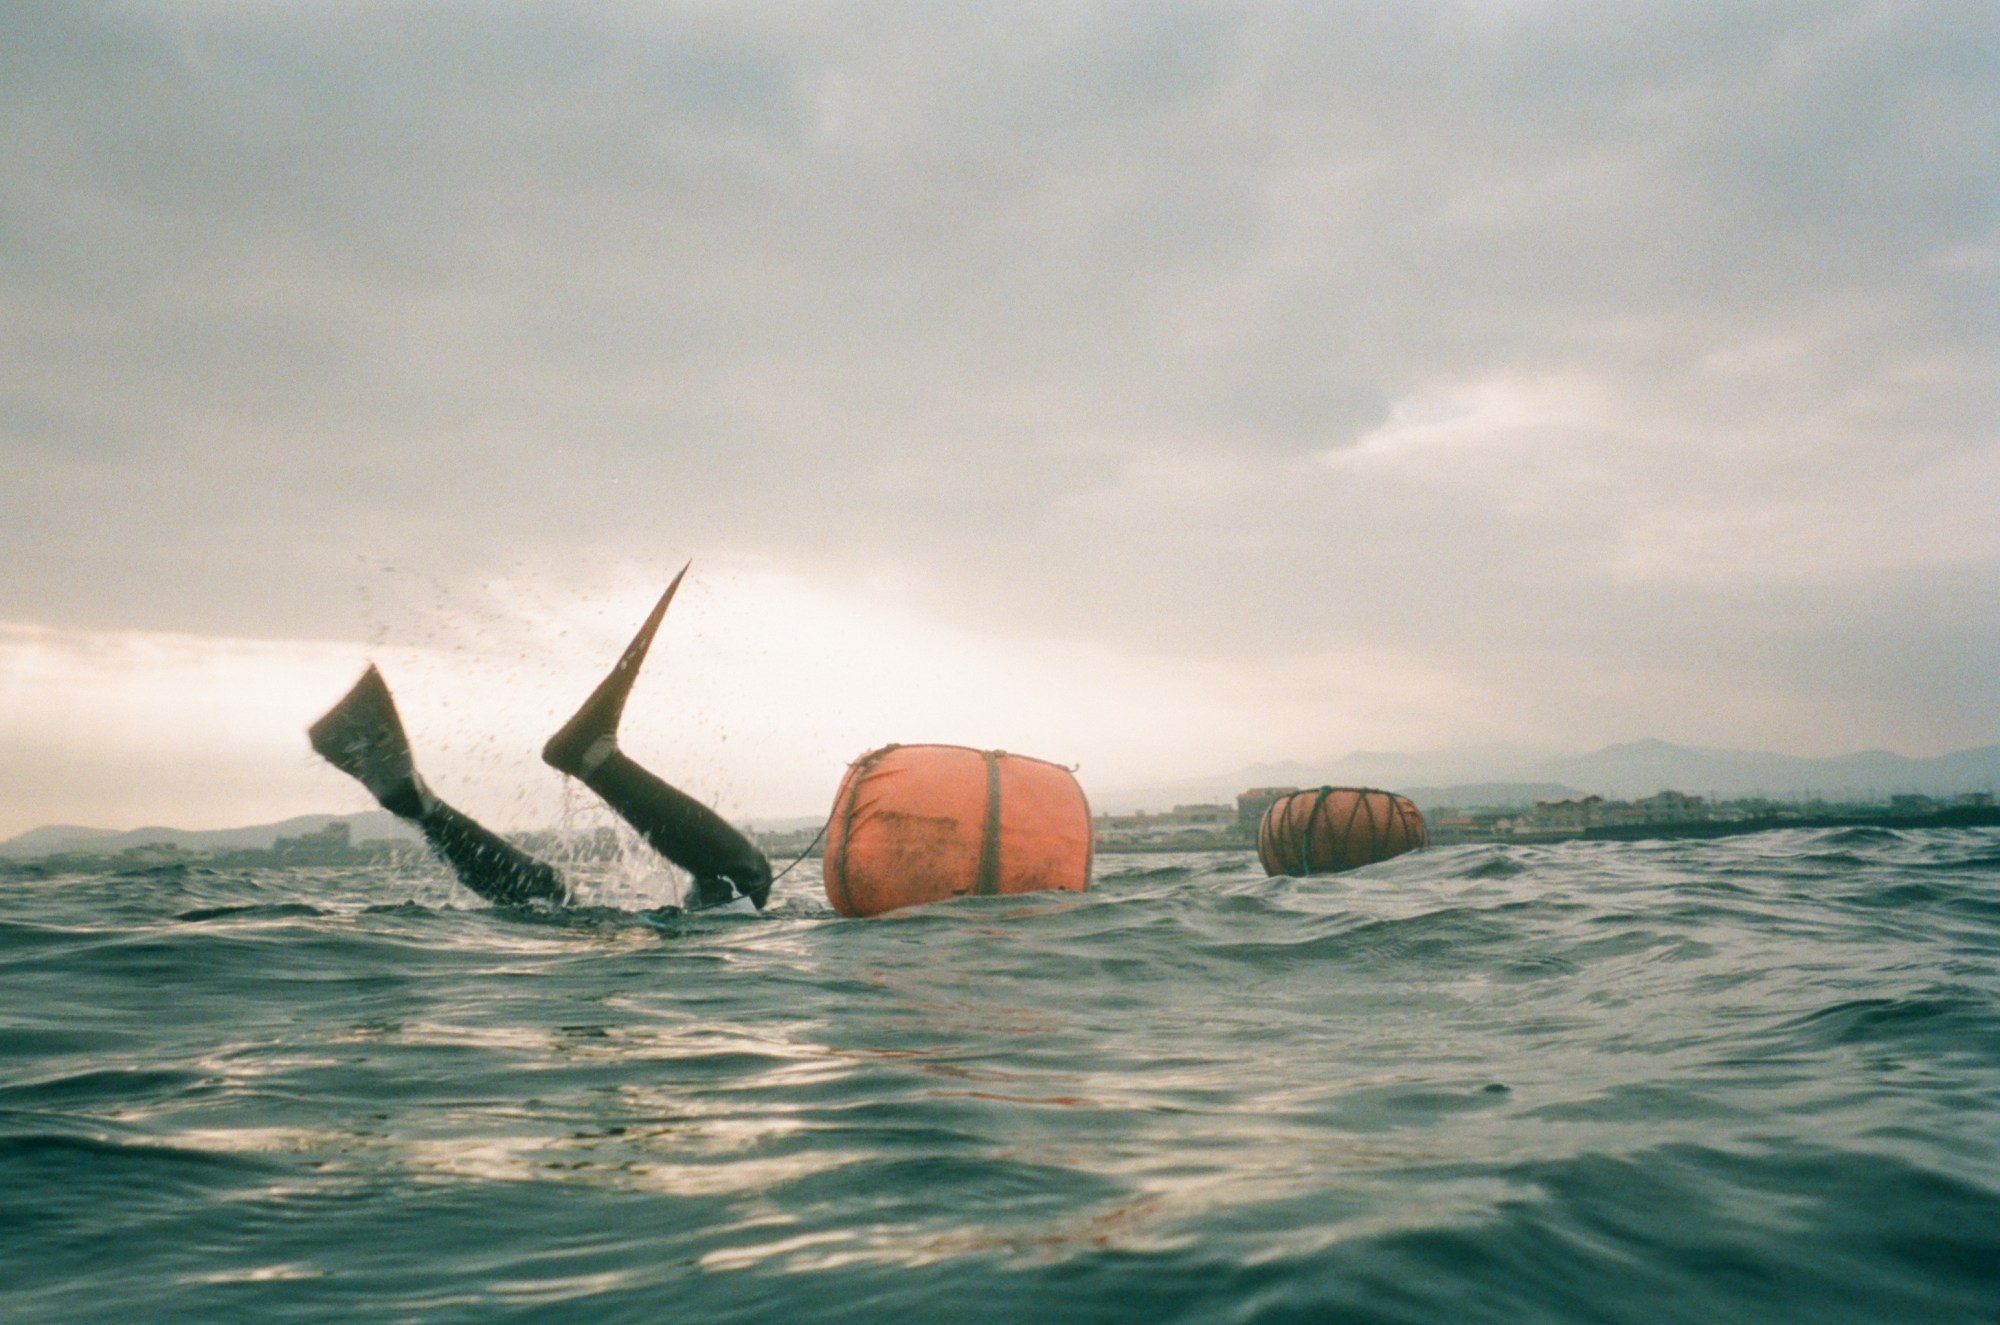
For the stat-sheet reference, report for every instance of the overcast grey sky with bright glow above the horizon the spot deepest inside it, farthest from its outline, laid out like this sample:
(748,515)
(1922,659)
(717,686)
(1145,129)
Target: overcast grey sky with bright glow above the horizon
(1147,387)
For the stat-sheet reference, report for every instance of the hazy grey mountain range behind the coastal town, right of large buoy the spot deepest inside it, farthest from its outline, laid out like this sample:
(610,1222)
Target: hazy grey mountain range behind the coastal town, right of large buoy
(1517,776)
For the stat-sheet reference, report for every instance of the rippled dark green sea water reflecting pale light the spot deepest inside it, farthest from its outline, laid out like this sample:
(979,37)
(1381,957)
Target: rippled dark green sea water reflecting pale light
(1745,1080)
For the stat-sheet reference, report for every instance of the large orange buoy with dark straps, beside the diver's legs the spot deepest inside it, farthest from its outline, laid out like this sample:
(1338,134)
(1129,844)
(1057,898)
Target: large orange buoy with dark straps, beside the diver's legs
(923,824)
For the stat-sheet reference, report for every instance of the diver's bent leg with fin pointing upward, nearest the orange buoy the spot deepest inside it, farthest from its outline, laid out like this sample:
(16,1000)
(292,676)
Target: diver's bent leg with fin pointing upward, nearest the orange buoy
(673,824)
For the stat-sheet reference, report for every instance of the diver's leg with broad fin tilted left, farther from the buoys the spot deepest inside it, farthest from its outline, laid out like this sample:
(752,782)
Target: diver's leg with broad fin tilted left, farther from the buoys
(363,738)
